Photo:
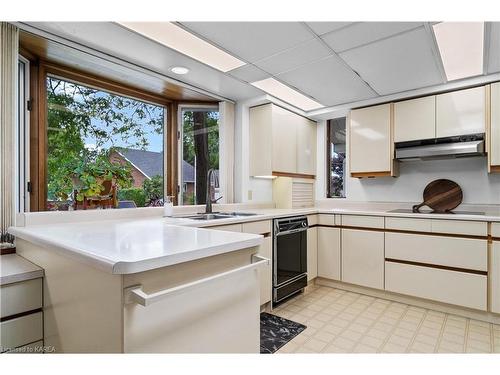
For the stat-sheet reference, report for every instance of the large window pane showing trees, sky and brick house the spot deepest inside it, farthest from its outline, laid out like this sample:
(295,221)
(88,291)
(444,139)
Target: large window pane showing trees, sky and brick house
(104,150)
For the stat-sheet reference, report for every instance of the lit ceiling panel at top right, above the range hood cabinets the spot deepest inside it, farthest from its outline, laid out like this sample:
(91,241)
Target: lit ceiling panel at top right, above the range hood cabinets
(461,47)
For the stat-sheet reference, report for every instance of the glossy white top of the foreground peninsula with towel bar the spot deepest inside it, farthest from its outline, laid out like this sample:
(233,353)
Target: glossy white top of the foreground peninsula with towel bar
(130,246)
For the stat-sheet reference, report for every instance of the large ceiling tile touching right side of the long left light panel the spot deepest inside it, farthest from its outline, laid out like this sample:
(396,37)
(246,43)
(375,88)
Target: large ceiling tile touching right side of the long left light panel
(252,41)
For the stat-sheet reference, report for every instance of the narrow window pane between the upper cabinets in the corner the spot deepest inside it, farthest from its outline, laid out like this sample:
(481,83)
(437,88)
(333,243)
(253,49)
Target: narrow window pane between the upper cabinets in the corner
(336,154)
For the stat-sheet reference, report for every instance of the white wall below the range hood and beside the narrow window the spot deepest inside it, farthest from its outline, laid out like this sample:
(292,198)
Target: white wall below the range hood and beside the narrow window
(478,186)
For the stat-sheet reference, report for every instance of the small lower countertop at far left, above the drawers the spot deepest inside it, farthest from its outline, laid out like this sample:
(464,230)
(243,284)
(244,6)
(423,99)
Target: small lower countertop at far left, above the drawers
(14,268)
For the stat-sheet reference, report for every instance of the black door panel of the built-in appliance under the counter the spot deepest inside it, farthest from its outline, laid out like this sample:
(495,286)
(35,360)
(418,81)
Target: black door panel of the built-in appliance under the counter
(290,256)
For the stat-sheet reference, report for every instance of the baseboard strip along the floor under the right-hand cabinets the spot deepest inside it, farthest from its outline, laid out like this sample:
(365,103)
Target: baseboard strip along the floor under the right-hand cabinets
(414,301)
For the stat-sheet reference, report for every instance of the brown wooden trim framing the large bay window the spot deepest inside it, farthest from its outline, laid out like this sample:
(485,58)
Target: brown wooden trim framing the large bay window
(39,71)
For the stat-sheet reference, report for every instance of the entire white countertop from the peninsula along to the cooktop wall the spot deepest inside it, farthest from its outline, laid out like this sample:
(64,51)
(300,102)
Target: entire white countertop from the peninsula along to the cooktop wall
(130,245)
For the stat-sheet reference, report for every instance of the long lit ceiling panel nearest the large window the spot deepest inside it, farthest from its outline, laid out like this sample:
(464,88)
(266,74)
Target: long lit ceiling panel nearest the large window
(177,38)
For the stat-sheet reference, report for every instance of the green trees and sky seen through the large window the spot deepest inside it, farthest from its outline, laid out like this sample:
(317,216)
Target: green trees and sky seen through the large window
(76,113)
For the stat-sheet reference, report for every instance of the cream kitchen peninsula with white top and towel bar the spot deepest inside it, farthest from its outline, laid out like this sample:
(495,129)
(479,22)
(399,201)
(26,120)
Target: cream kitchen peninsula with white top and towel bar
(142,285)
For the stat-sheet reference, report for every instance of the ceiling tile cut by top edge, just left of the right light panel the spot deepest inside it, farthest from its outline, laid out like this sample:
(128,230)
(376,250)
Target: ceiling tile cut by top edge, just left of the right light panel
(362,33)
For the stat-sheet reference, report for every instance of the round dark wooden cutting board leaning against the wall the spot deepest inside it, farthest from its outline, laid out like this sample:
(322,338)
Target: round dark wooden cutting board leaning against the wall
(441,196)
